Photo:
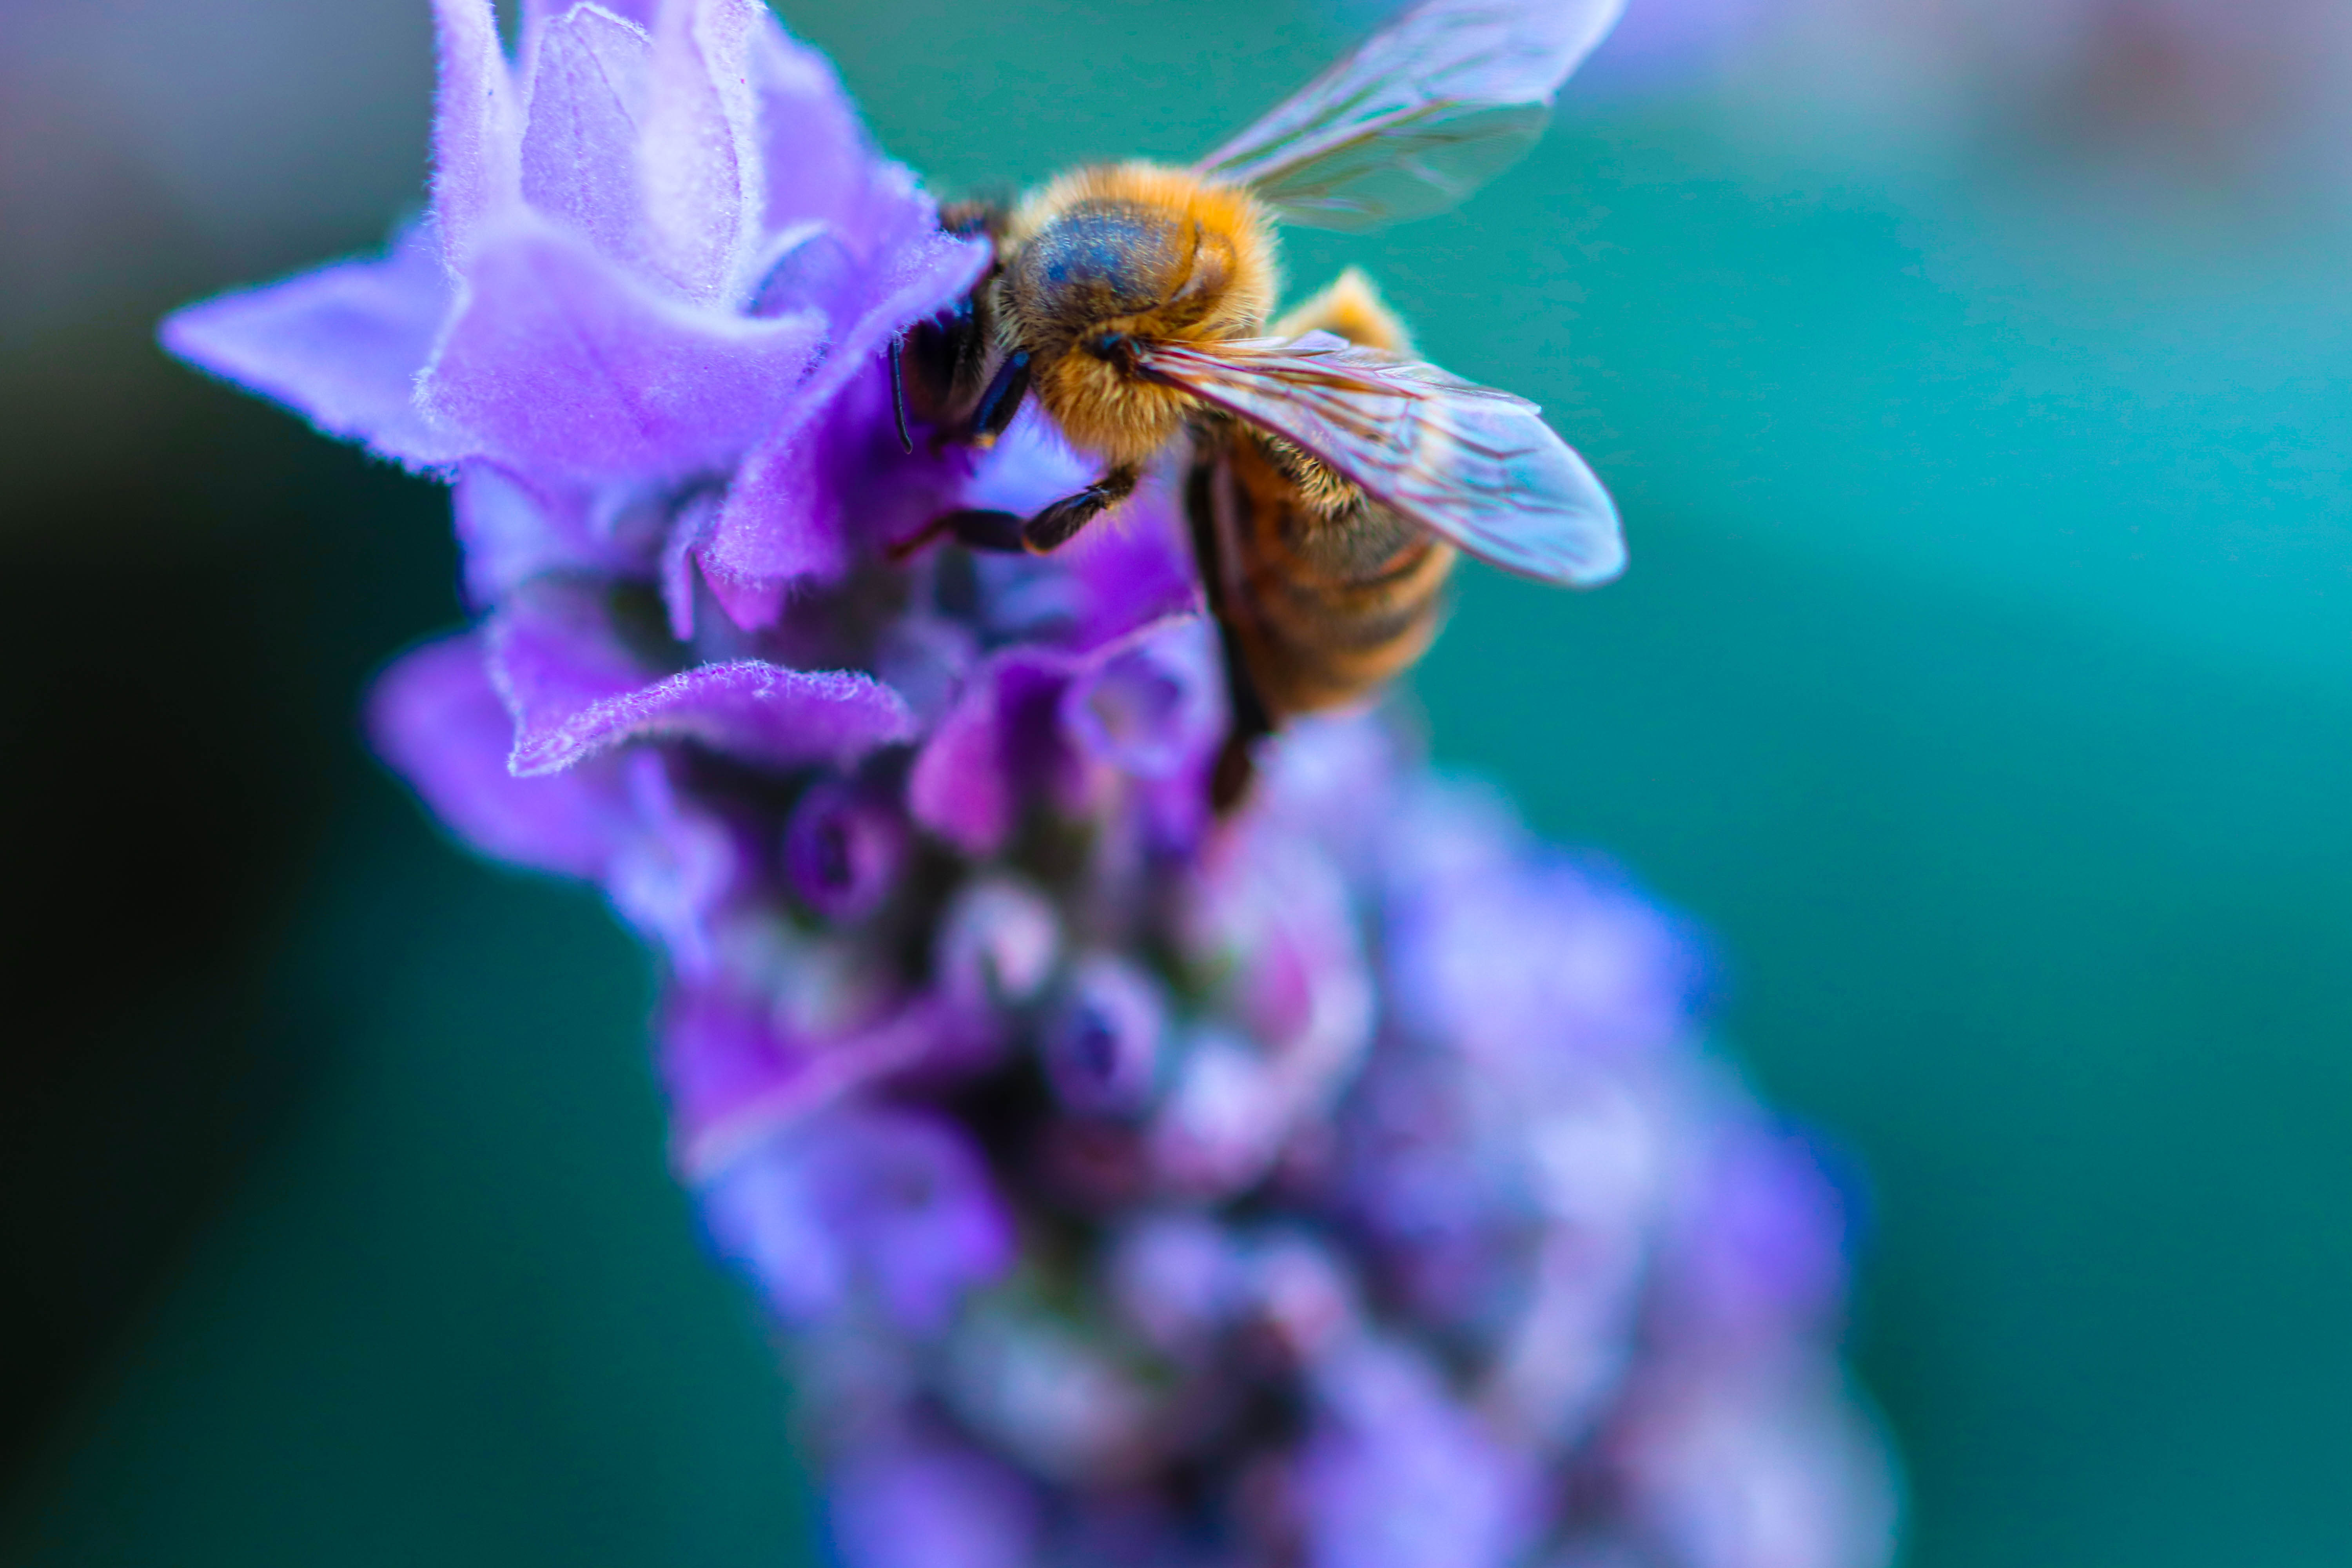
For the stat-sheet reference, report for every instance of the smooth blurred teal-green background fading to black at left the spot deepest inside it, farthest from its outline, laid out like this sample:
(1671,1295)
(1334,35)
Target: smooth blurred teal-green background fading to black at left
(1984,685)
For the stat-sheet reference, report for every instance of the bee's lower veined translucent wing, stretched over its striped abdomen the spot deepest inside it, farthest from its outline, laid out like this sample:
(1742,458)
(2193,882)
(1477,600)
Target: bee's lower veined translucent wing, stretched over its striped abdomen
(1464,462)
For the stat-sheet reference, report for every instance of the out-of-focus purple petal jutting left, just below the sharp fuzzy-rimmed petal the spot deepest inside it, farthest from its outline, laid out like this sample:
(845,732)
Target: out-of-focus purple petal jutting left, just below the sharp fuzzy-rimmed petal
(441,725)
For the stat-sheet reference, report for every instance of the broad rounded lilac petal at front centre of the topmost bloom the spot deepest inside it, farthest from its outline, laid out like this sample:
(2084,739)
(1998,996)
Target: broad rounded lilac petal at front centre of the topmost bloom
(559,361)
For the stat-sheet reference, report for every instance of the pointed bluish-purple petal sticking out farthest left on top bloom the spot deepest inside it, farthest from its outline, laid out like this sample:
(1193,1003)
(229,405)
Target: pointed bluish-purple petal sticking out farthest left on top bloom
(340,347)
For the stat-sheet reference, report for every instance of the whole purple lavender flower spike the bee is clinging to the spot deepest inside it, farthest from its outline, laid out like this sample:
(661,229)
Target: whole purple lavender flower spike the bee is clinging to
(1328,1186)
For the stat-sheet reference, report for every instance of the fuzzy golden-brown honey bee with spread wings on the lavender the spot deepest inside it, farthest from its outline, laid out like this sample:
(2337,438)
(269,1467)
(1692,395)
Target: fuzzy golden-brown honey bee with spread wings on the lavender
(1332,476)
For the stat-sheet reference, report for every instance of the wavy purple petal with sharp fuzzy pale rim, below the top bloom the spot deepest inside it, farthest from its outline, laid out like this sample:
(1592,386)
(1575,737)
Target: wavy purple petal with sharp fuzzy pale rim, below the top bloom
(577,690)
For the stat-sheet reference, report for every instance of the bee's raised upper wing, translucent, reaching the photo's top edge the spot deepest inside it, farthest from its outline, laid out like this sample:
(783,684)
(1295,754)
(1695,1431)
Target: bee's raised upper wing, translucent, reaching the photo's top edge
(1419,116)
